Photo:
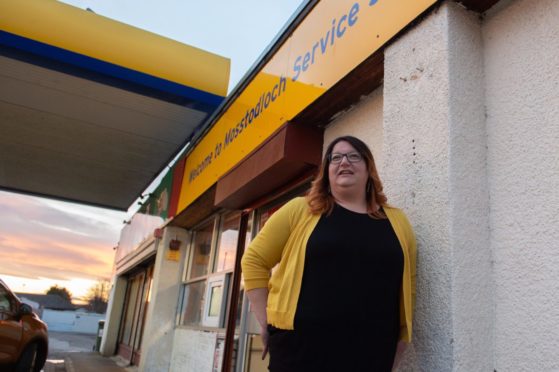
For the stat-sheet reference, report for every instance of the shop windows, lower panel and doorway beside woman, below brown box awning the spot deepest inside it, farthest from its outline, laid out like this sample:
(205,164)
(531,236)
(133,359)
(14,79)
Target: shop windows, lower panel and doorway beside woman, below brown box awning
(215,302)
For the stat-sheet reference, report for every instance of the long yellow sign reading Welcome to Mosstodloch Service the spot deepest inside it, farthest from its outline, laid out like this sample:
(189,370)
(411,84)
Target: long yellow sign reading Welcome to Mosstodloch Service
(331,41)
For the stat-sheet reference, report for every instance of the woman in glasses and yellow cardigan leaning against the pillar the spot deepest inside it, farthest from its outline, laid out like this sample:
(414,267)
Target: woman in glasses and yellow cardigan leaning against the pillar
(341,298)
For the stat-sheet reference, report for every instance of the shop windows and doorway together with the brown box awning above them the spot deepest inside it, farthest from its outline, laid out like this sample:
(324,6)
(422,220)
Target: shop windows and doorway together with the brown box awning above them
(212,306)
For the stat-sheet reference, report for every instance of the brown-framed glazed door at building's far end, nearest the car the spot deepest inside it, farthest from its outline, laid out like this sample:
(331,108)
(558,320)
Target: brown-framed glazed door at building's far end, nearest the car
(134,314)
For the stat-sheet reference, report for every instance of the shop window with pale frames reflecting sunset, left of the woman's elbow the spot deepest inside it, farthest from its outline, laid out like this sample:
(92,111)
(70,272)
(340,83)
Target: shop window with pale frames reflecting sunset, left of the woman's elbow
(212,261)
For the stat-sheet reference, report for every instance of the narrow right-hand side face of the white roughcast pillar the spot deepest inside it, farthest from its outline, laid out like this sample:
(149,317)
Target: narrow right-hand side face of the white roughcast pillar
(472,272)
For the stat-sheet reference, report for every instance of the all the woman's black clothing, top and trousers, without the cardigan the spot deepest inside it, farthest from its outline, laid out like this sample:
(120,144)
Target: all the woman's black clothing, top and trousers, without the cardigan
(348,308)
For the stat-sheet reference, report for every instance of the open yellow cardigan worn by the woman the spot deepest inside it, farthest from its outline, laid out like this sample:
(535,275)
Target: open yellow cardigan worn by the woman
(283,240)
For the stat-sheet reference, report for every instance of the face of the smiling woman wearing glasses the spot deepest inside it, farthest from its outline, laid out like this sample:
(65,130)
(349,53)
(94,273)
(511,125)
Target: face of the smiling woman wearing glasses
(347,175)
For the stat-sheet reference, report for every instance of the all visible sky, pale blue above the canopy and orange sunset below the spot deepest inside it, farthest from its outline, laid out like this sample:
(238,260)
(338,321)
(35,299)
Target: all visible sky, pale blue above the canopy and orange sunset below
(45,242)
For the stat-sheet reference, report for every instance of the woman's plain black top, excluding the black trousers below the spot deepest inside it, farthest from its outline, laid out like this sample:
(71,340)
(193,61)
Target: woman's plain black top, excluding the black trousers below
(352,274)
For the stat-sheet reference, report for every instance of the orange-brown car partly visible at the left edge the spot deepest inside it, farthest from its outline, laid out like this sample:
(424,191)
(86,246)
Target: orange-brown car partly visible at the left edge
(23,336)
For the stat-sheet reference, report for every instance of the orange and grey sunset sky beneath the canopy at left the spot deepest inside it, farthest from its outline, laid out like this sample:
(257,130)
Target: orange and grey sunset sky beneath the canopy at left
(45,242)
